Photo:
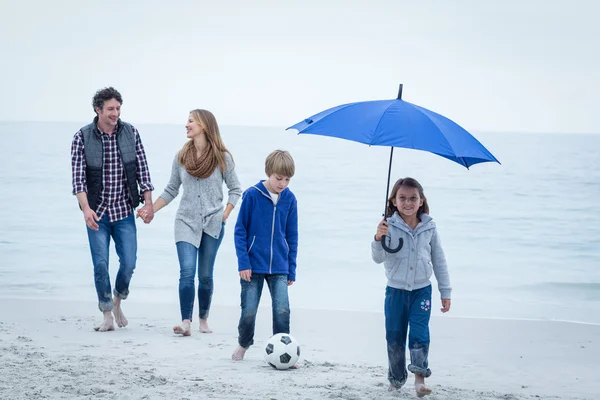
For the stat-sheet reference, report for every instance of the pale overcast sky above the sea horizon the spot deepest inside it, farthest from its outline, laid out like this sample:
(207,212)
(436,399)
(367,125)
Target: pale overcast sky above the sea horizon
(499,66)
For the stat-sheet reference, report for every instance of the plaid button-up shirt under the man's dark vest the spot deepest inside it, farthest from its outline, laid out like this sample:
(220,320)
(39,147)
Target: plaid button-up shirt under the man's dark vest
(114,197)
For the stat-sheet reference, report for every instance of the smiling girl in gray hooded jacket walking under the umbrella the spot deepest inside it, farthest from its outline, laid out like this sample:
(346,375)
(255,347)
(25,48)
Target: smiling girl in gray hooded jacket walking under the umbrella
(408,291)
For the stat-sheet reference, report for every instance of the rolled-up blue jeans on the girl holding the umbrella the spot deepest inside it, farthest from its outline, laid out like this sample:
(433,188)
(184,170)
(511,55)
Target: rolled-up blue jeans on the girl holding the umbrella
(403,309)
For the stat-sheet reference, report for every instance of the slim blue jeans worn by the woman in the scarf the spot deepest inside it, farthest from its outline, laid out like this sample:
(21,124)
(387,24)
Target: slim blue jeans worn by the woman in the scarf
(201,258)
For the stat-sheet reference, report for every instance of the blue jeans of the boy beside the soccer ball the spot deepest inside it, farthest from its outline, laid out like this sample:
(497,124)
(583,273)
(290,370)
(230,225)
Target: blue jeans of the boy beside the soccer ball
(250,298)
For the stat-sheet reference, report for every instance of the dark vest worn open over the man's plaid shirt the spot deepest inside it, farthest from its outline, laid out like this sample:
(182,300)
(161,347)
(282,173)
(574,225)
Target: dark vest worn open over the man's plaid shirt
(94,159)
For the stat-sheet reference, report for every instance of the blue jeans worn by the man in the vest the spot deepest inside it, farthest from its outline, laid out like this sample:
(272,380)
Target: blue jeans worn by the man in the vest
(124,233)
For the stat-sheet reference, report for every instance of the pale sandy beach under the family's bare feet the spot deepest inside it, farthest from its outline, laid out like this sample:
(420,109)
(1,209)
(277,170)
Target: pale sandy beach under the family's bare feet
(49,350)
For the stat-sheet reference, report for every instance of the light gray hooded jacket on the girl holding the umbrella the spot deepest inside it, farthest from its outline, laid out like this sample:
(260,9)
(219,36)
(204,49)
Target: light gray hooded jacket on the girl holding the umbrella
(421,255)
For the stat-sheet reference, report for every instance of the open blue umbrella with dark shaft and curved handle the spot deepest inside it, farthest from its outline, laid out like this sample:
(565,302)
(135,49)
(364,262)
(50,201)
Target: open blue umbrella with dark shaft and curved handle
(397,123)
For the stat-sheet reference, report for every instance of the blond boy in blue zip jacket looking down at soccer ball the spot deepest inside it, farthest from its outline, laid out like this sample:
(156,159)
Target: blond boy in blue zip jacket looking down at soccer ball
(266,244)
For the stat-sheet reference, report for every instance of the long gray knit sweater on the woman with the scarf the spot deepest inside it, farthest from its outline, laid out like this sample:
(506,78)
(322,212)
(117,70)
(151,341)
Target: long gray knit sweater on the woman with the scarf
(201,207)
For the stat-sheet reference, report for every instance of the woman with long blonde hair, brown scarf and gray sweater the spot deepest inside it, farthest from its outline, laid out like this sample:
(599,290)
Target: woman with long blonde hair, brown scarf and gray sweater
(201,167)
